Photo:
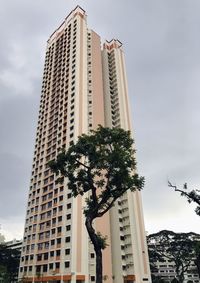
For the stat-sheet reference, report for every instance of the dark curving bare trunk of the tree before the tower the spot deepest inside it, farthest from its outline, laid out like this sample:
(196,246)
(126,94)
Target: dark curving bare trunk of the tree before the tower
(94,238)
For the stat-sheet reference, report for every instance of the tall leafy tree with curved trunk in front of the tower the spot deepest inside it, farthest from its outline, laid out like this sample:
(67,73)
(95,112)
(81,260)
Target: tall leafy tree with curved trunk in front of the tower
(102,166)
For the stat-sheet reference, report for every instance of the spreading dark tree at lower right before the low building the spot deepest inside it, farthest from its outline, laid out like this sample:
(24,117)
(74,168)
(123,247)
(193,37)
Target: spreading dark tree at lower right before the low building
(175,247)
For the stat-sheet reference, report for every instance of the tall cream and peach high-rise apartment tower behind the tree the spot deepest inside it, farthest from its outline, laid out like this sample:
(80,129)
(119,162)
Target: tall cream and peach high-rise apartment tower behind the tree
(83,86)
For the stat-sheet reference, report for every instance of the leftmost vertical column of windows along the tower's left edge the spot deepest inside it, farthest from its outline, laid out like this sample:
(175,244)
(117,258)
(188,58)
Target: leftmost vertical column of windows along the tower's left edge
(29,246)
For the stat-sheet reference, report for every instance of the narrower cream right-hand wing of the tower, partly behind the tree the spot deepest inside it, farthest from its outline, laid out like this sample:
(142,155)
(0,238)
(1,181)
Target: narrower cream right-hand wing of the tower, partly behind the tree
(134,253)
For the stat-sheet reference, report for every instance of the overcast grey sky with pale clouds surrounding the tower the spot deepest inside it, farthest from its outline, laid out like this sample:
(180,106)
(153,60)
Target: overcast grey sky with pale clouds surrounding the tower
(161,41)
